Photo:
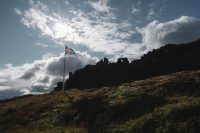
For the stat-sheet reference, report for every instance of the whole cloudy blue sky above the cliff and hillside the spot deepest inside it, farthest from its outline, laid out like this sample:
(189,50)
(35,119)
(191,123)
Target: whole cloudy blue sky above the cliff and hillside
(33,34)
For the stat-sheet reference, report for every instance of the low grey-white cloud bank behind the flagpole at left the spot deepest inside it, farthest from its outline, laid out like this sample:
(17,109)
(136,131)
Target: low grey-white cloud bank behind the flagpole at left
(39,76)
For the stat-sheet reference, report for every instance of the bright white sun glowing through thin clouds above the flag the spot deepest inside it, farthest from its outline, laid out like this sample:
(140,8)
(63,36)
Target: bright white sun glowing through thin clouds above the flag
(62,30)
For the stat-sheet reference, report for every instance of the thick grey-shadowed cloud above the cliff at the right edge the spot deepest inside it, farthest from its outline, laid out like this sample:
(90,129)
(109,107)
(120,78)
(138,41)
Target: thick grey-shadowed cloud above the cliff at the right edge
(180,30)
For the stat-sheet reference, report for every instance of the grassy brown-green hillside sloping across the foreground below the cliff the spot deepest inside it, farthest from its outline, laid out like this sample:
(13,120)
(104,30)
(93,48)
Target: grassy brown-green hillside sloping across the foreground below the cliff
(163,104)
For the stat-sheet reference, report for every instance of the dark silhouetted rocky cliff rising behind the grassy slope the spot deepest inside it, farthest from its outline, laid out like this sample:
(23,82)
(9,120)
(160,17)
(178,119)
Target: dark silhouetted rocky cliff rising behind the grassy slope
(165,60)
